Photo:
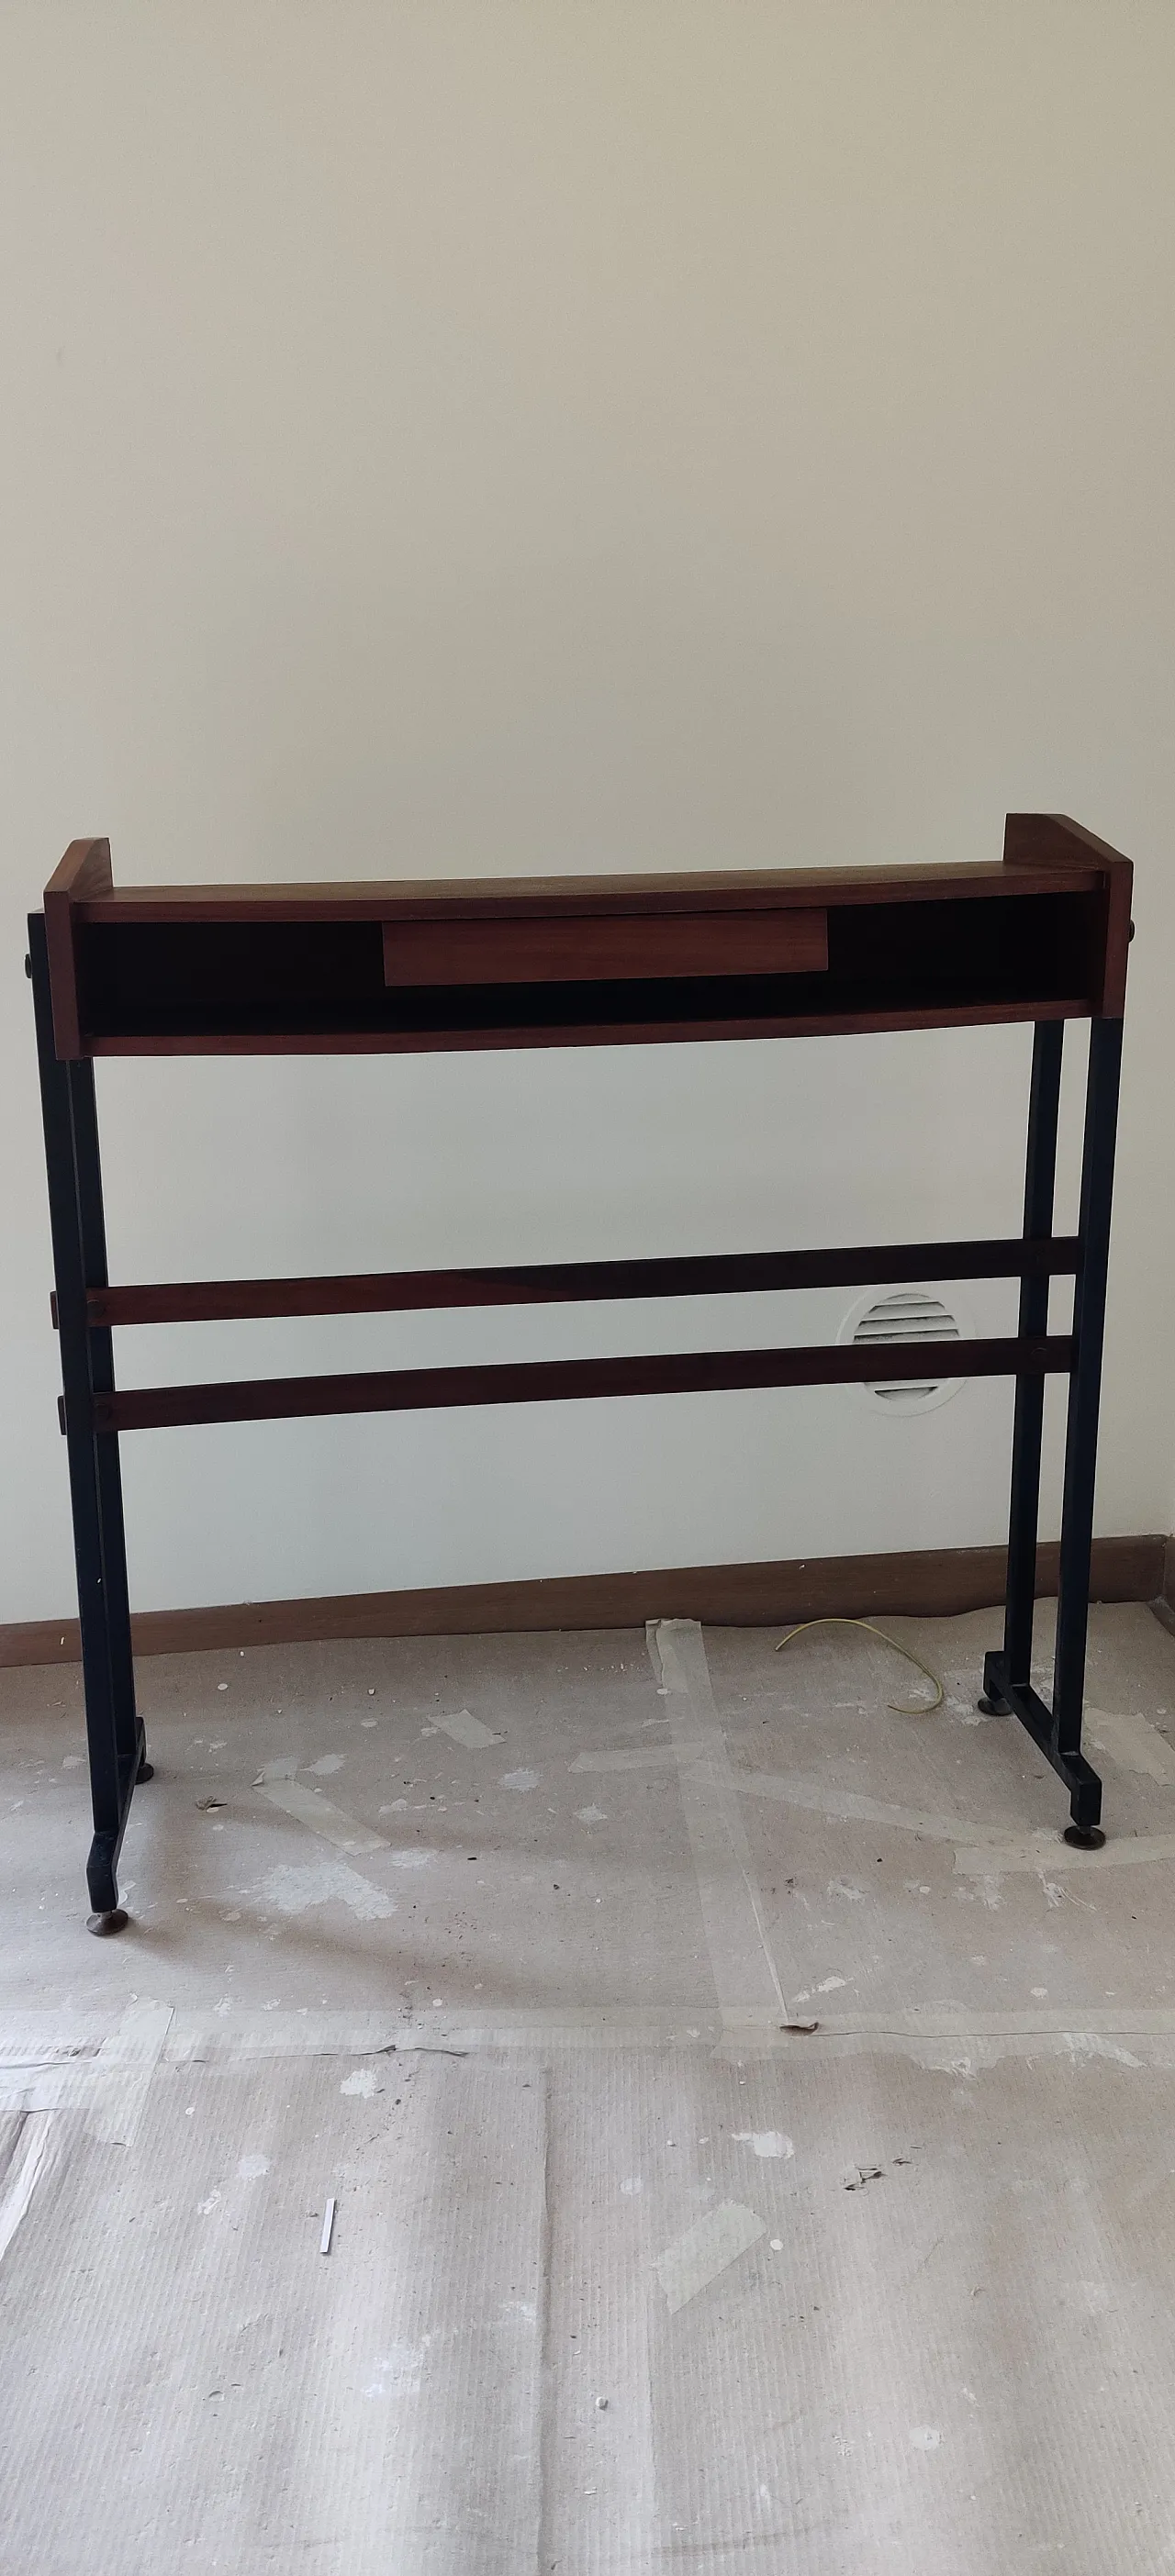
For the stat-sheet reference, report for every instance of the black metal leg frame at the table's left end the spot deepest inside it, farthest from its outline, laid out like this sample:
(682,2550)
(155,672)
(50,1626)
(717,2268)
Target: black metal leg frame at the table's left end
(76,1215)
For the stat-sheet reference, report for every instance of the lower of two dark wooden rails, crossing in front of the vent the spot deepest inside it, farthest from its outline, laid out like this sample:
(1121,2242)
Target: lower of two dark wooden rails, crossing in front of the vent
(555,1382)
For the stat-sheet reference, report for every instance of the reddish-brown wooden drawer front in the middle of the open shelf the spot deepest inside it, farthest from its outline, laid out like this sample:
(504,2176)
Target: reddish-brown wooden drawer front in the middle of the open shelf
(604,949)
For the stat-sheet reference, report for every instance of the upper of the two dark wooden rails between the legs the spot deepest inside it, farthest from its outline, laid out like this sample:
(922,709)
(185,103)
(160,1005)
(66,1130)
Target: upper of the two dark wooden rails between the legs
(558,1284)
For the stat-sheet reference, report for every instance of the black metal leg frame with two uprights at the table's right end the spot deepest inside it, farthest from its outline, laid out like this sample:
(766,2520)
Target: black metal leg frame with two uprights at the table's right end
(1009,1676)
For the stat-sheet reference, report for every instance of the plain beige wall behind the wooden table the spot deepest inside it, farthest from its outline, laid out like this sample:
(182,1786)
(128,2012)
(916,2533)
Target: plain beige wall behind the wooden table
(576,437)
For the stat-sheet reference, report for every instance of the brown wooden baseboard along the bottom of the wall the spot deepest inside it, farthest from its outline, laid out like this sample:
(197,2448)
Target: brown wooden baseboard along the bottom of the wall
(926,1583)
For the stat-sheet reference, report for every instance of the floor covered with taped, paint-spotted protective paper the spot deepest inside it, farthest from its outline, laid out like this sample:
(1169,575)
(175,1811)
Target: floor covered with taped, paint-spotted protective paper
(751,2126)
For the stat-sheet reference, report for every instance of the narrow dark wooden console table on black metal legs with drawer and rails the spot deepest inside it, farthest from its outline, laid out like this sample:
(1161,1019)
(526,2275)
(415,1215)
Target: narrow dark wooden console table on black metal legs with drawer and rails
(584,962)
